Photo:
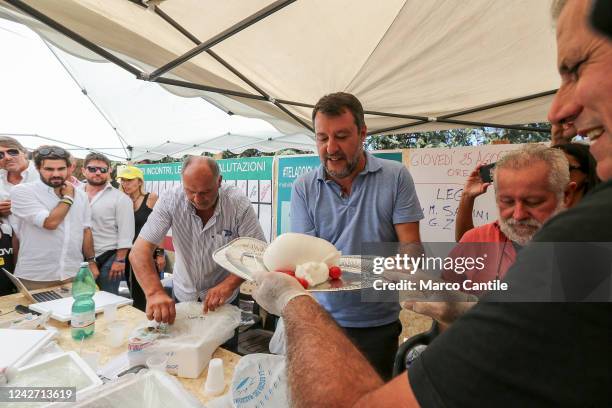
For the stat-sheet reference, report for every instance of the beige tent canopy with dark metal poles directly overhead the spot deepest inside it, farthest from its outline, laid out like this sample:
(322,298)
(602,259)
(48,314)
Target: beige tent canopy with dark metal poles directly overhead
(421,65)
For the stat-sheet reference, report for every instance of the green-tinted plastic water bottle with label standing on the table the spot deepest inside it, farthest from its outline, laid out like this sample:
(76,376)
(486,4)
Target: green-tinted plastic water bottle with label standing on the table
(83,319)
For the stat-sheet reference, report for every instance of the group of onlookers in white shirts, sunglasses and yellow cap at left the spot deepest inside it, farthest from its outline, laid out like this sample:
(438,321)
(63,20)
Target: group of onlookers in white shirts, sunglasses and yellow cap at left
(51,221)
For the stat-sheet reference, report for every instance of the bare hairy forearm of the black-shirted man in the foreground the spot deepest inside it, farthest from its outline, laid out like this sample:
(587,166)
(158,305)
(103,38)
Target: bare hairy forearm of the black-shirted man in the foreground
(324,365)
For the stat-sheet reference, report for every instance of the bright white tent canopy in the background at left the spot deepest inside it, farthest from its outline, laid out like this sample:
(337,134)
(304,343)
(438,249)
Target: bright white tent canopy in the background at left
(41,109)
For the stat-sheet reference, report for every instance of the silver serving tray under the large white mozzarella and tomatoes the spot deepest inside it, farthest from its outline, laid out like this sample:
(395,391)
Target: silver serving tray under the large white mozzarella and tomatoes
(243,257)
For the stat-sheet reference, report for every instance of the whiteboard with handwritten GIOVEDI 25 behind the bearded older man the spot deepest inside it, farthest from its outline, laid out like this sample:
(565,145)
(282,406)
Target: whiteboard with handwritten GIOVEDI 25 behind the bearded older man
(439,175)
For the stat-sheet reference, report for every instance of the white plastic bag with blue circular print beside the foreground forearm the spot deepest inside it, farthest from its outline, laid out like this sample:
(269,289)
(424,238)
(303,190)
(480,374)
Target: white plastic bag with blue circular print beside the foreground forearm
(260,380)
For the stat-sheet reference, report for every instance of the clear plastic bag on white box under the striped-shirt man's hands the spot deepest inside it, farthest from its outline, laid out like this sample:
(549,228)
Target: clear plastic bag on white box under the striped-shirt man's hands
(189,343)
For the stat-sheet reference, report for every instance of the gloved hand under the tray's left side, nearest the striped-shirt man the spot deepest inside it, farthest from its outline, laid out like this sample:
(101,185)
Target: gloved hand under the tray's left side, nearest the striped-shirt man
(275,289)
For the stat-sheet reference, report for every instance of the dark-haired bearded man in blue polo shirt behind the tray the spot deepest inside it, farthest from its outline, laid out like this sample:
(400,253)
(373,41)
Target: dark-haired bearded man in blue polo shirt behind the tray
(353,198)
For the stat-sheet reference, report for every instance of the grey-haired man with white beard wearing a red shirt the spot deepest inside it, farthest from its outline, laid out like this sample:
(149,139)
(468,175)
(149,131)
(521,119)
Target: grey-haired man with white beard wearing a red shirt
(532,184)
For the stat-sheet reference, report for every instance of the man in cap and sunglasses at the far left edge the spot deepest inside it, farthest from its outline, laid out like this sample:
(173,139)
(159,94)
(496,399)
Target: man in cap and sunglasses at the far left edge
(15,168)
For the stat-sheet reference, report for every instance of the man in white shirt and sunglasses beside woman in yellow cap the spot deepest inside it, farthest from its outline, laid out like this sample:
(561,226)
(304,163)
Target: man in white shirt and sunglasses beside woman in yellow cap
(112,219)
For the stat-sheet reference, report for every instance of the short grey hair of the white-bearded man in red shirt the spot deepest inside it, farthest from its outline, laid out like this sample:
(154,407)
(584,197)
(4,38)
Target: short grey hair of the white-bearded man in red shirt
(530,154)
